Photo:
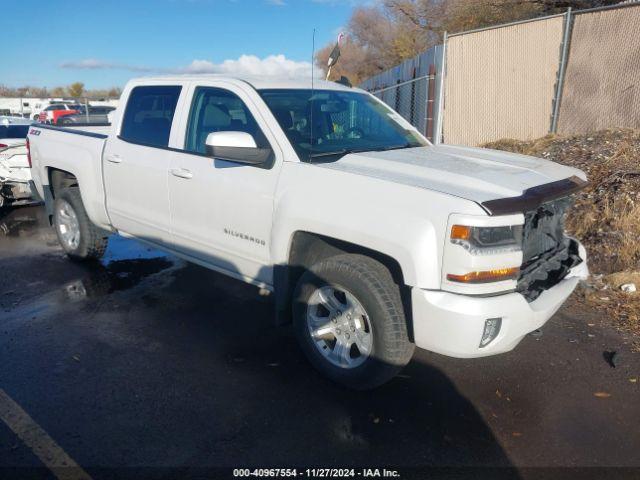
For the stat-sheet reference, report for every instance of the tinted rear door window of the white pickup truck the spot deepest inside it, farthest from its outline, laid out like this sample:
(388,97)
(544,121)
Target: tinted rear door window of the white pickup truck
(149,113)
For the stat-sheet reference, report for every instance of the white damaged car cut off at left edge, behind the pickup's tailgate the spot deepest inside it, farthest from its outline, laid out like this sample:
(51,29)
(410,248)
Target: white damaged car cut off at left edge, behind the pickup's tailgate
(15,171)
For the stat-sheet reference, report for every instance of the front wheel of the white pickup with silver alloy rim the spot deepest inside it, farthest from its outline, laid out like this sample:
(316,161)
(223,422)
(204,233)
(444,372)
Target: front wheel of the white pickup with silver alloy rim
(361,281)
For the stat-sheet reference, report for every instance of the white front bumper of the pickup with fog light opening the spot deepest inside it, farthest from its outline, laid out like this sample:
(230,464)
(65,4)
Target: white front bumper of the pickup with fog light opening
(454,325)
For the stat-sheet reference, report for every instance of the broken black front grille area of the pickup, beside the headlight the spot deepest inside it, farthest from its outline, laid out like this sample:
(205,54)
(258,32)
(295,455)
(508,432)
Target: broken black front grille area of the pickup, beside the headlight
(548,254)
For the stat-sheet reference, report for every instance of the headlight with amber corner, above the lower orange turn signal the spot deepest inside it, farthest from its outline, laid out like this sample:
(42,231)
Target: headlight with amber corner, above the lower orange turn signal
(487,240)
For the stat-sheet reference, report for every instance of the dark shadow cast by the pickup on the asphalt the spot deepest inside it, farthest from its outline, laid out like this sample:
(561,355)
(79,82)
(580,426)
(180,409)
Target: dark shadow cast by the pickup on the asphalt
(279,411)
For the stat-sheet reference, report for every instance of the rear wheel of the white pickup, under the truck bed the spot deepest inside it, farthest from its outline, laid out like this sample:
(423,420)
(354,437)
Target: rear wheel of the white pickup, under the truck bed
(86,242)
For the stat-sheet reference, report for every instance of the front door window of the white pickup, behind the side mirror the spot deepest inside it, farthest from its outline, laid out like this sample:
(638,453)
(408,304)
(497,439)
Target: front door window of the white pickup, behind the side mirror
(218,110)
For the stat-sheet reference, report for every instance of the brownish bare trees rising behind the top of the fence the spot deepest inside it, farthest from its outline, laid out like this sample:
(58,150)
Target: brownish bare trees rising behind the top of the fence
(385,34)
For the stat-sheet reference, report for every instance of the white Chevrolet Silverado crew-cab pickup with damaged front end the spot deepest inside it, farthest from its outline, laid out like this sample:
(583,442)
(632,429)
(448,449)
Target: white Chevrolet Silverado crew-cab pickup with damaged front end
(371,239)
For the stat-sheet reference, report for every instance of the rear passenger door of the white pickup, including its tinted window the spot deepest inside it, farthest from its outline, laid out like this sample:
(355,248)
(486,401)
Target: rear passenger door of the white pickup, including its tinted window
(136,164)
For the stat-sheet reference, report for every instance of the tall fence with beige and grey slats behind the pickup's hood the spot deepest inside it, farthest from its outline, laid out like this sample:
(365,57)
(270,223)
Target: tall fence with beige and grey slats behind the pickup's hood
(571,73)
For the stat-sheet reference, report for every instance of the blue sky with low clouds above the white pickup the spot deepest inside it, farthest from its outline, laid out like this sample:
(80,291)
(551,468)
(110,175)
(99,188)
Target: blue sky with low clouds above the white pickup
(104,43)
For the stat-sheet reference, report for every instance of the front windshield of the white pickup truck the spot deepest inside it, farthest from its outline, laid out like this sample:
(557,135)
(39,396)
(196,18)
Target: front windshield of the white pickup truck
(343,122)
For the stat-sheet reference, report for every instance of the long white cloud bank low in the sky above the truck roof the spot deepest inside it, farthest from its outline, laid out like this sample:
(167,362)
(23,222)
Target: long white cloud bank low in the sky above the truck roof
(272,65)
